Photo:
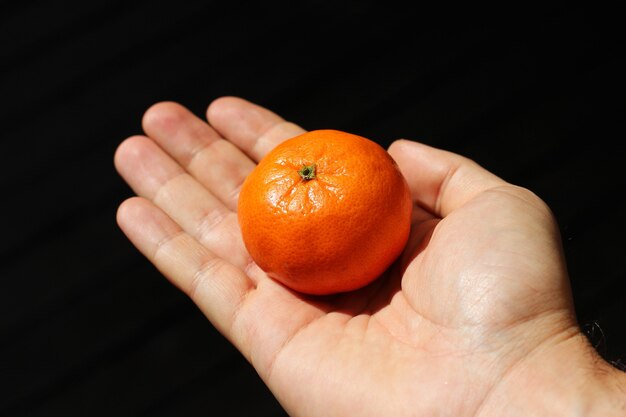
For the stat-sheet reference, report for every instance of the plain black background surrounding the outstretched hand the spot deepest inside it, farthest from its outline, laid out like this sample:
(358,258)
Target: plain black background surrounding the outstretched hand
(89,328)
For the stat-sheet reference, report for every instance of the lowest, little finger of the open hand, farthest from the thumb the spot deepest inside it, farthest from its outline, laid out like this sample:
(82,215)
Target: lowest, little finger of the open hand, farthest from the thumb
(216,286)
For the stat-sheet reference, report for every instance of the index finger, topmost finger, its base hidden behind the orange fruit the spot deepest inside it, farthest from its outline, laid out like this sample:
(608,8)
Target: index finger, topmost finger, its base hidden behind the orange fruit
(254,129)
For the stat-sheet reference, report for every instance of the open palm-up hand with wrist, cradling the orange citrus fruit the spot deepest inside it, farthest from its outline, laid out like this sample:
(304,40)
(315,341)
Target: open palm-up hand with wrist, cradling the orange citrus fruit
(475,319)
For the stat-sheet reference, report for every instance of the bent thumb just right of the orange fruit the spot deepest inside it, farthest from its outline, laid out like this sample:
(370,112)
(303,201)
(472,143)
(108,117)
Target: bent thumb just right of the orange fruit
(440,181)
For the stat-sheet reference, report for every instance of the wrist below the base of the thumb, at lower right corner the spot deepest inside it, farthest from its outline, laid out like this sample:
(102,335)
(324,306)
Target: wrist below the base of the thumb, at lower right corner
(563,377)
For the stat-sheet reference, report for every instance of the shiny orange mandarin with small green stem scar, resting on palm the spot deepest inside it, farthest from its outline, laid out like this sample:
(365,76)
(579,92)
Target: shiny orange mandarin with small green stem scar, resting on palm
(325,212)
